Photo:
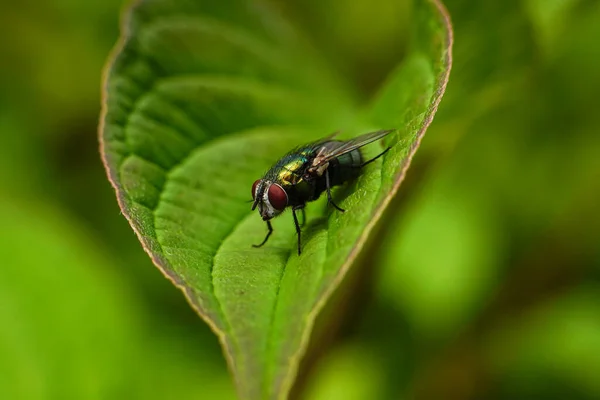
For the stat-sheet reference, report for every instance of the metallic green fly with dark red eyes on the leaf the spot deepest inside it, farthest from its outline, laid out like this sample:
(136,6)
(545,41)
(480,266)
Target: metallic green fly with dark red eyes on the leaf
(304,173)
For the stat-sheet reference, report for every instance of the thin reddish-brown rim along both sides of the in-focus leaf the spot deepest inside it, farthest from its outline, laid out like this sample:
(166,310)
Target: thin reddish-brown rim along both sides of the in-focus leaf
(160,263)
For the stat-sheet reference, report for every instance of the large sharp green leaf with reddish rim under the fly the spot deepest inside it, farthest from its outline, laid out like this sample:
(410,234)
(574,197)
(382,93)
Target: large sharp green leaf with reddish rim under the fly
(201,99)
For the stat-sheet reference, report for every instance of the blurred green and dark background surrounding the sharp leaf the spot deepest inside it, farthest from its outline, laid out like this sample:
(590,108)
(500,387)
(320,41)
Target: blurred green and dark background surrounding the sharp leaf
(486,282)
